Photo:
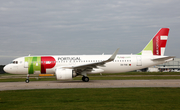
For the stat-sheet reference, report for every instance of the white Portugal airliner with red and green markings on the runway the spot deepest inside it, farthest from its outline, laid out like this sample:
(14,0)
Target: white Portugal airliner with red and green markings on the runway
(69,66)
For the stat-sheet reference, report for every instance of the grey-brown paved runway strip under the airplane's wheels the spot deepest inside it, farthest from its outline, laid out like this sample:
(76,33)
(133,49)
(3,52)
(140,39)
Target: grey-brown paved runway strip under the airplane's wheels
(90,84)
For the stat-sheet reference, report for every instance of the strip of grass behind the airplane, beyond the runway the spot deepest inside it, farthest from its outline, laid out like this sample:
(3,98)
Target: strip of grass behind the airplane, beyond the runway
(118,76)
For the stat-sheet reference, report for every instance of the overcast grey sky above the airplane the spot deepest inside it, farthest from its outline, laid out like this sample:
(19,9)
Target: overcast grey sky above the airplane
(76,27)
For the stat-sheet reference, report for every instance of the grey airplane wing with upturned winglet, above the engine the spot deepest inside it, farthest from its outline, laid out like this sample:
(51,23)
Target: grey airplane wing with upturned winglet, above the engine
(93,65)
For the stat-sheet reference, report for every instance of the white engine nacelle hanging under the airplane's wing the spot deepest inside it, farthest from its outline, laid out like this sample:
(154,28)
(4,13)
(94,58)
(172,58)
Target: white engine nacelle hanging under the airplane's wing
(64,73)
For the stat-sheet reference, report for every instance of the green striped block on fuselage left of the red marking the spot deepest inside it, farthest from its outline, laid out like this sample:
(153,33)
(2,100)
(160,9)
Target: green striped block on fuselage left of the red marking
(34,64)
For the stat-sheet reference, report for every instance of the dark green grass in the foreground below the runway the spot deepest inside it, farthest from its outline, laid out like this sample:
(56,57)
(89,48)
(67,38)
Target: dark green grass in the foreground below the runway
(92,99)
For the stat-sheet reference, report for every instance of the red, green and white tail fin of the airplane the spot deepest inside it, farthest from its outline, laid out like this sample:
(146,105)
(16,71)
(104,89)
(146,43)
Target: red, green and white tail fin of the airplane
(157,44)
